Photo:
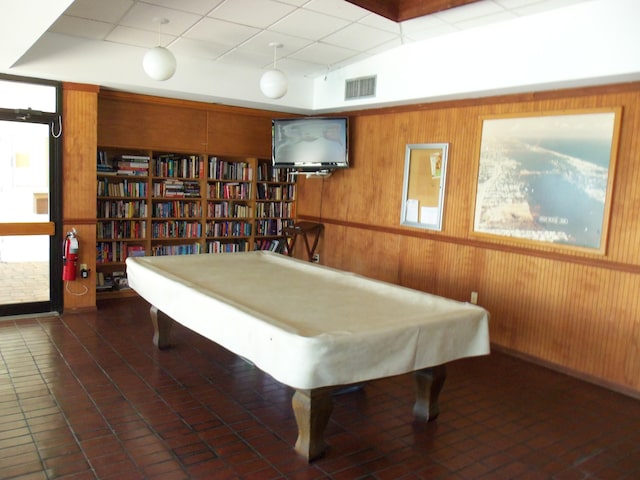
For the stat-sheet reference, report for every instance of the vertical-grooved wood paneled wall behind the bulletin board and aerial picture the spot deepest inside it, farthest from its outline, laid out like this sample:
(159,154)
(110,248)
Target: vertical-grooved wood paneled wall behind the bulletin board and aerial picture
(578,312)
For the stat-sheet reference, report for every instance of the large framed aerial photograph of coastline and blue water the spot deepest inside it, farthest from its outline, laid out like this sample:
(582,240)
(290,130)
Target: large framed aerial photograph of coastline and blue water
(547,178)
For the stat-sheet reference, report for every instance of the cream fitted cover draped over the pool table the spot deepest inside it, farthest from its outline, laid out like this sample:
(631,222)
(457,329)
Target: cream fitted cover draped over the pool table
(307,325)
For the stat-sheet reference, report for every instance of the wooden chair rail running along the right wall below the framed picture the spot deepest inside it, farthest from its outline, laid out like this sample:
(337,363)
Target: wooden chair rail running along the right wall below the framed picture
(555,256)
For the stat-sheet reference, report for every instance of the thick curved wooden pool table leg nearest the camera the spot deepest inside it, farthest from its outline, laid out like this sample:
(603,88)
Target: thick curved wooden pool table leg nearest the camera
(312,409)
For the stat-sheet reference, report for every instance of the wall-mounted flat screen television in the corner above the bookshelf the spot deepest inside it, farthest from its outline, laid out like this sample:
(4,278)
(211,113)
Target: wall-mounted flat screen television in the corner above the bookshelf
(310,143)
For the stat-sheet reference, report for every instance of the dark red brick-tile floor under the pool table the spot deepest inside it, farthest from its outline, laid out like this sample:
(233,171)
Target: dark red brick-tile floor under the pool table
(88,396)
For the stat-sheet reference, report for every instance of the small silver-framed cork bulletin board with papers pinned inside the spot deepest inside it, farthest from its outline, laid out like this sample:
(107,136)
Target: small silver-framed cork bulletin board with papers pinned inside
(424,183)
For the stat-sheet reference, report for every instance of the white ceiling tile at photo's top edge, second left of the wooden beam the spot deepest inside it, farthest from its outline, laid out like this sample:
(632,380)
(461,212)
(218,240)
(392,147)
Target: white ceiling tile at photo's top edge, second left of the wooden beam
(255,13)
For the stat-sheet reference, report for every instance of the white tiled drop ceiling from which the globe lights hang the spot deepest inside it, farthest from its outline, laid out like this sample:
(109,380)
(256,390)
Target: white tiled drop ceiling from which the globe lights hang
(316,35)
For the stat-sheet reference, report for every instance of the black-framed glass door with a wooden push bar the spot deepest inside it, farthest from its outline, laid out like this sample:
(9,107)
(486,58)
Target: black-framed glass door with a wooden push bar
(29,211)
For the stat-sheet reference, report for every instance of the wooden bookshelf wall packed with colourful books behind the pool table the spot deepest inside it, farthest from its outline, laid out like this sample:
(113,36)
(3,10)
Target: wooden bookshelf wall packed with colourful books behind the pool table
(176,203)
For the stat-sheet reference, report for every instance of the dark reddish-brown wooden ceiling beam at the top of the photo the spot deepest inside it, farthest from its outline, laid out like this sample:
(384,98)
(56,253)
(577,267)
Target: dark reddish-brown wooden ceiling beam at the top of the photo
(401,10)
